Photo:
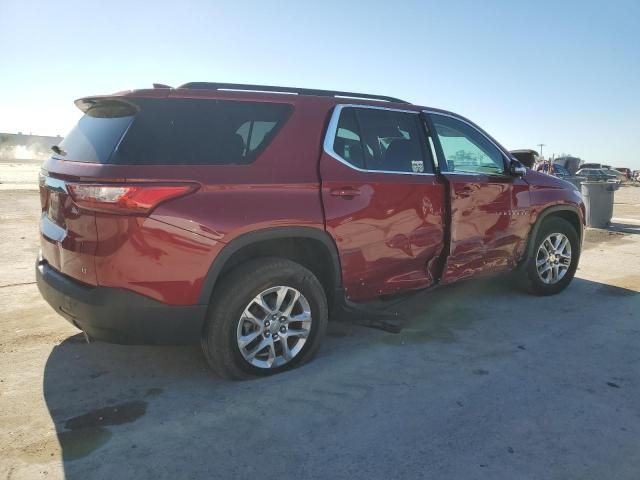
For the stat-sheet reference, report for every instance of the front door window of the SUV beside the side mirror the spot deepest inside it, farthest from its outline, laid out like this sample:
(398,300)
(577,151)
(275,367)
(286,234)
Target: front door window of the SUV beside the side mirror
(465,149)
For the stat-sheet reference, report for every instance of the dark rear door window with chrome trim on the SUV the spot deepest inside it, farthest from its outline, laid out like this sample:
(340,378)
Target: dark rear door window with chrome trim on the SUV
(382,140)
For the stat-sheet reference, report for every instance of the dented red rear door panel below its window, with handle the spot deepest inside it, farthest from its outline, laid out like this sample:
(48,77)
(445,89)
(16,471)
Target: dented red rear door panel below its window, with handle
(386,235)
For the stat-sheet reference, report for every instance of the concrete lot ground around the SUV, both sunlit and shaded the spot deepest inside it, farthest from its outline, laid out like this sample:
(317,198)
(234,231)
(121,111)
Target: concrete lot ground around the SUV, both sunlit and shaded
(484,382)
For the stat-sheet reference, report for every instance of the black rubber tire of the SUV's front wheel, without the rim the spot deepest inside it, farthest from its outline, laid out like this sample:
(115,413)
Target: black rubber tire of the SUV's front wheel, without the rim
(528,272)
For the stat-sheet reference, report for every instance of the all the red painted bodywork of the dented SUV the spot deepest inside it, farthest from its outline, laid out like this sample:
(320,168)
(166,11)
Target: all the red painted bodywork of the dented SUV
(390,230)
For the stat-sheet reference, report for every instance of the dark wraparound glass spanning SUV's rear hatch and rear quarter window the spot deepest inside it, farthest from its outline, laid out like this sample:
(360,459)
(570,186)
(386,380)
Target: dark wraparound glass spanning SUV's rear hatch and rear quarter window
(173,132)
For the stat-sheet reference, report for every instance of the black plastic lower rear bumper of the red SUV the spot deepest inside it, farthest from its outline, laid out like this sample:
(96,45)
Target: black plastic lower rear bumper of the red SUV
(117,315)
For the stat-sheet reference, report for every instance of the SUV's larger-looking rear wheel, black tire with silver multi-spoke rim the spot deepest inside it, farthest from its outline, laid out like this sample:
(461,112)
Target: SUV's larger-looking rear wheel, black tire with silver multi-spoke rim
(267,316)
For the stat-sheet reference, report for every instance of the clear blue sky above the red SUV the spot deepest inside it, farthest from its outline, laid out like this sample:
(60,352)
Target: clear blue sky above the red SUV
(563,73)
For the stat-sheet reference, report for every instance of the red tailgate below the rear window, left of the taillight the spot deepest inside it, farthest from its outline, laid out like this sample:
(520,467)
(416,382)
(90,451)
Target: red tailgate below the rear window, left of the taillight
(68,236)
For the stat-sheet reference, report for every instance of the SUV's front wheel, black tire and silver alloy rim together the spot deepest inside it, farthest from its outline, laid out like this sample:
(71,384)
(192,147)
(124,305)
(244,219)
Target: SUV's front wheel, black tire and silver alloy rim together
(554,258)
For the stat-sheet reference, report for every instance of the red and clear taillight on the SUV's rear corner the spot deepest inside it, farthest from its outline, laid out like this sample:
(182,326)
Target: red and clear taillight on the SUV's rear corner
(127,199)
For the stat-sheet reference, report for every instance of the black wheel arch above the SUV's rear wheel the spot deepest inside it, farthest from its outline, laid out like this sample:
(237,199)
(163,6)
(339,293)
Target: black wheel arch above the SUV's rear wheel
(309,246)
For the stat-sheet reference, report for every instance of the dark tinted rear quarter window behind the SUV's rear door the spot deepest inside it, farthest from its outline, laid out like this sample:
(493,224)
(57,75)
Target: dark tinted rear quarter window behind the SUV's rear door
(200,132)
